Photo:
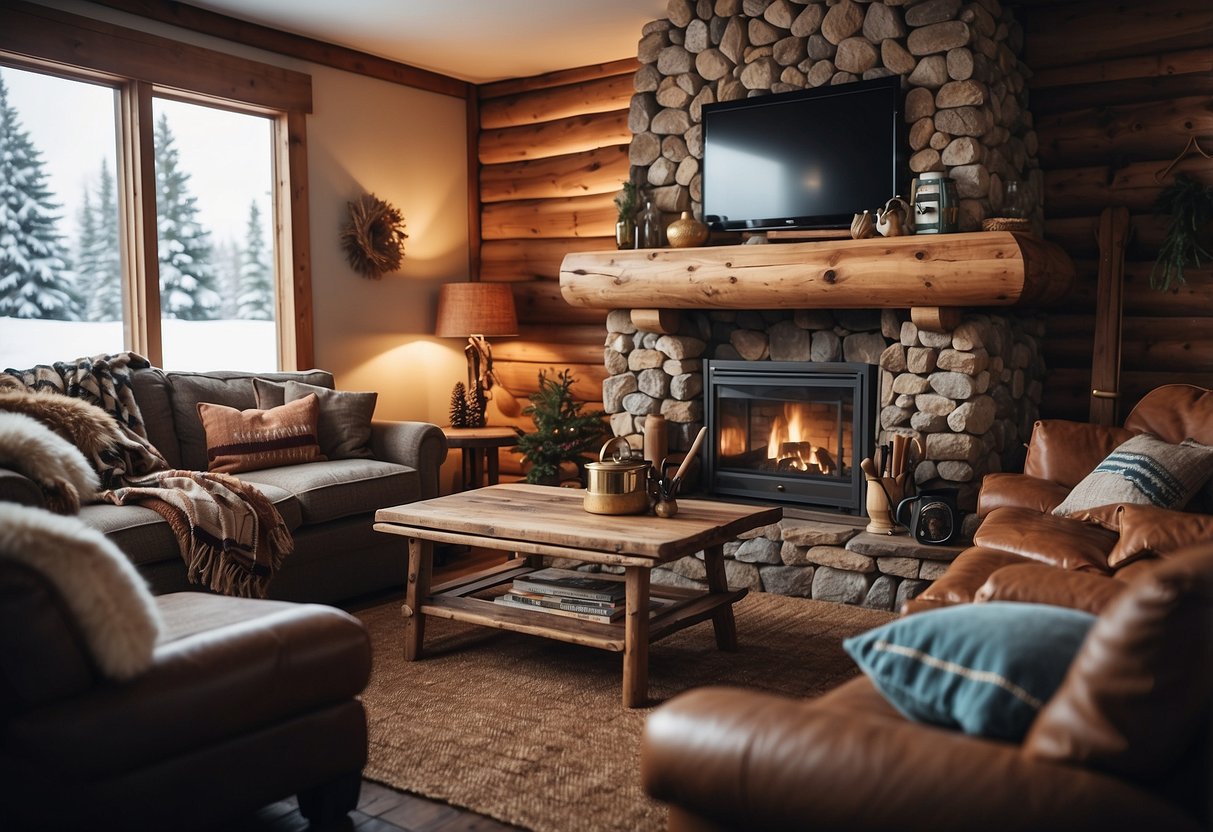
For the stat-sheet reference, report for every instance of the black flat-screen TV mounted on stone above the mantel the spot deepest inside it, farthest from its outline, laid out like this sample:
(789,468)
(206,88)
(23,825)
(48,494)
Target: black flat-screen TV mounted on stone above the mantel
(806,159)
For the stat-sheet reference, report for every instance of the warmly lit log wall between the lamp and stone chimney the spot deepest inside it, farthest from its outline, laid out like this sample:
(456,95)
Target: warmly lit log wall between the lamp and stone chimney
(554,156)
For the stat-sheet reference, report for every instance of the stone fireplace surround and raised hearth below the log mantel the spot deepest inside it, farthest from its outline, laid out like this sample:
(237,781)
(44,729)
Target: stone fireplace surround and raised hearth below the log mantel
(970,395)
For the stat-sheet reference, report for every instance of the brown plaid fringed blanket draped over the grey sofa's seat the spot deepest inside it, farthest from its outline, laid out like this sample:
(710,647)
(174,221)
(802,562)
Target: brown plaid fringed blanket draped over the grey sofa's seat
(226,548)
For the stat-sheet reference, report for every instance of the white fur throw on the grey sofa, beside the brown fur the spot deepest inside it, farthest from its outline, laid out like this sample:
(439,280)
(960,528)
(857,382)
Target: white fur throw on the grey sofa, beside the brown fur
(52,461)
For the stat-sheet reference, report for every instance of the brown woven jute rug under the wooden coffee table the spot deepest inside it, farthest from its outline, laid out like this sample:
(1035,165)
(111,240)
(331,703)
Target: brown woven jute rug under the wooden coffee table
(533,732)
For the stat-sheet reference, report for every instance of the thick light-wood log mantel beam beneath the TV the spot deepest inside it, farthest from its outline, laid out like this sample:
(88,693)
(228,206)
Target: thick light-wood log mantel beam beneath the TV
(970,270)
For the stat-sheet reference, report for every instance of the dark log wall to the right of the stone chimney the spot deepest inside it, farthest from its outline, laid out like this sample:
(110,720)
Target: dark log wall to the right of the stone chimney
(1117,92)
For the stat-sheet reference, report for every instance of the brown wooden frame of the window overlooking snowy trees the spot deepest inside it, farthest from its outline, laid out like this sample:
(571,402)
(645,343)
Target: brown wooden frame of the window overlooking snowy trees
(141,67)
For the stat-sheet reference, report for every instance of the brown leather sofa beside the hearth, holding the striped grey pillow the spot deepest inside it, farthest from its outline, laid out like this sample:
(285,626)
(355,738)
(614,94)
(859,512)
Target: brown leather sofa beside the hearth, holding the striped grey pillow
(1022,552)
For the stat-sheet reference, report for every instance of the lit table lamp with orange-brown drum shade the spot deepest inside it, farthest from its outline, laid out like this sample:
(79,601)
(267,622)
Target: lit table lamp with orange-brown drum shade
(479,311)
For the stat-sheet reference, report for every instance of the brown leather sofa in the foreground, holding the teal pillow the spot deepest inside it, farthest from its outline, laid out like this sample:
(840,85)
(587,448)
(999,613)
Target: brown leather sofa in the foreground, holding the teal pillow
(1124,744)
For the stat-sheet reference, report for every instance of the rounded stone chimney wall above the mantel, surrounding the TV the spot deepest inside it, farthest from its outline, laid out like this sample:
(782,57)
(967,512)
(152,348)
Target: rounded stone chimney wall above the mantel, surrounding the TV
(966,87)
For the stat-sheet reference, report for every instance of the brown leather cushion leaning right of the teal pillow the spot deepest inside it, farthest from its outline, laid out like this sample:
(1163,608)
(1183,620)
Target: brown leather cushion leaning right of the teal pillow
(1142,685)
